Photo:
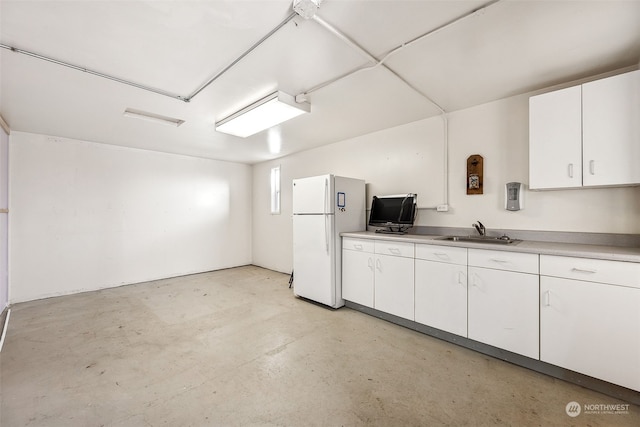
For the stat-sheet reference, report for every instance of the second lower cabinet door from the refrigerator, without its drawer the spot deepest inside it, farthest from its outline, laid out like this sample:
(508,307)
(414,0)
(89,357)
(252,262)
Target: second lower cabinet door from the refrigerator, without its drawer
(394,285)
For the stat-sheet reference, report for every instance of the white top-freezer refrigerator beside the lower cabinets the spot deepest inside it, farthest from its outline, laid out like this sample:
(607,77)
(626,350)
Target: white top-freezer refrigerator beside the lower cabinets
(323,207)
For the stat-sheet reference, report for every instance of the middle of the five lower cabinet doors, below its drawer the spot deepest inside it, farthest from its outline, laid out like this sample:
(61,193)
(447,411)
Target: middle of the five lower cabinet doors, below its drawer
(441,296)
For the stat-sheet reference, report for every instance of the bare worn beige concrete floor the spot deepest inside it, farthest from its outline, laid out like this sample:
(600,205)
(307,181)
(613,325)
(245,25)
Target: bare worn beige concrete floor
(235,348)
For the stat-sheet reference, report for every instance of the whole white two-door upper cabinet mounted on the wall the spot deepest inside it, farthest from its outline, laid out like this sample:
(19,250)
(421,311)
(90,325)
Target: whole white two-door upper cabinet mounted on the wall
(586,135)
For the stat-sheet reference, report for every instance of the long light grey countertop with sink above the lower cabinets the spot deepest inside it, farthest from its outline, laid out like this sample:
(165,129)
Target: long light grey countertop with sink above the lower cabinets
(614,253)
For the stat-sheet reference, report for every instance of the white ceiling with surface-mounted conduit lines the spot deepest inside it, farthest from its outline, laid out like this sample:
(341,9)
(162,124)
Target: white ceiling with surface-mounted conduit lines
(508,48)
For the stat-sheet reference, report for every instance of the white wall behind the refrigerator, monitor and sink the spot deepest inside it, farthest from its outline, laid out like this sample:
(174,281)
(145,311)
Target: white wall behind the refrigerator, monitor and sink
(409,158)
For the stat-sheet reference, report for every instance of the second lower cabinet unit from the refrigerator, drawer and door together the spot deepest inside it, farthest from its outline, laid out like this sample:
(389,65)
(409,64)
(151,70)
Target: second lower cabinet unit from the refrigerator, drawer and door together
(394,279)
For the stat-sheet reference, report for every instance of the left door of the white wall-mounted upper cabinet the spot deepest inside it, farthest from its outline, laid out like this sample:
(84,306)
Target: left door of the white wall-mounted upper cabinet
(555,139)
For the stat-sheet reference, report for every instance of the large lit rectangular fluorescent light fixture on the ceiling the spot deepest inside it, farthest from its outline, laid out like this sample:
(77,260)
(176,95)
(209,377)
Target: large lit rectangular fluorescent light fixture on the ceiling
(271,110)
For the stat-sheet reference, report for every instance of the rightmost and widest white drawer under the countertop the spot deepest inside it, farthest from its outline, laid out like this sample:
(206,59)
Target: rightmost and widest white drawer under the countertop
(591,270)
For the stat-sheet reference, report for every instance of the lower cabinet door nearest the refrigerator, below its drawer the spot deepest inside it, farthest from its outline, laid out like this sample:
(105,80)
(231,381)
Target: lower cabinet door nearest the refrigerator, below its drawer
(357,277)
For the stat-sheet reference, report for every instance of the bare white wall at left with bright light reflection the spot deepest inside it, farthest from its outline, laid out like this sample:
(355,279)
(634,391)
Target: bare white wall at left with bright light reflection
(86,216)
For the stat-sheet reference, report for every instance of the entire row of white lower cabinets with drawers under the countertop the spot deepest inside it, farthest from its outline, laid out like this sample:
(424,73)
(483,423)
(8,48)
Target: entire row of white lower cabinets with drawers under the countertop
(575,313)
